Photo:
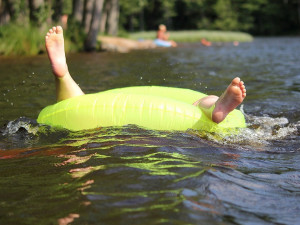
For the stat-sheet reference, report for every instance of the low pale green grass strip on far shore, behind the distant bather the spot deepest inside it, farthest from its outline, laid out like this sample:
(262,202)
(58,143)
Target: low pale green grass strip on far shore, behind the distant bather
(197,35)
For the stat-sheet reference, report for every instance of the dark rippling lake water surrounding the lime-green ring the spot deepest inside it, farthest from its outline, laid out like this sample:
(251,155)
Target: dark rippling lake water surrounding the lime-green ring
(130,175)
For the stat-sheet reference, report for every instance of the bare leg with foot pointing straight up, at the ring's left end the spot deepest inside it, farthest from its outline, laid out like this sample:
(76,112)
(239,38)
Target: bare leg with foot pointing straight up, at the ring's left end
(66,87)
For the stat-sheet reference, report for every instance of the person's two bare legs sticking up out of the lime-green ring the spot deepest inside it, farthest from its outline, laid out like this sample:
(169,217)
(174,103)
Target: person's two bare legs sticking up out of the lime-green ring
(216,108)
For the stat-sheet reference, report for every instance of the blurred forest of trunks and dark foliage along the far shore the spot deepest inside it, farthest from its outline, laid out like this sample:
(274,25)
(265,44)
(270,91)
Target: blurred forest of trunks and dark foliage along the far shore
(23,23)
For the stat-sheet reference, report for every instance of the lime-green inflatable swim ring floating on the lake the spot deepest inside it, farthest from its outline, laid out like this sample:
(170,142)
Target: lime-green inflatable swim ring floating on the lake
(151,107)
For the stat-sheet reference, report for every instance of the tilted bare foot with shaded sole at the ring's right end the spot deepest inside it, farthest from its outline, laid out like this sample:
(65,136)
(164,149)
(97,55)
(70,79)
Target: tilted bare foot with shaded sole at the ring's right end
(229,100)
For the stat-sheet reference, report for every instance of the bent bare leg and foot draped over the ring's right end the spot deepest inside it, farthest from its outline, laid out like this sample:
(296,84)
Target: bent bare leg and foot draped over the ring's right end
(218,108)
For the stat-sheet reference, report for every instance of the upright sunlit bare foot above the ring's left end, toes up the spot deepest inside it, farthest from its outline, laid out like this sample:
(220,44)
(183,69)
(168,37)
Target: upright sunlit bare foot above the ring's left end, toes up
(56,51)
